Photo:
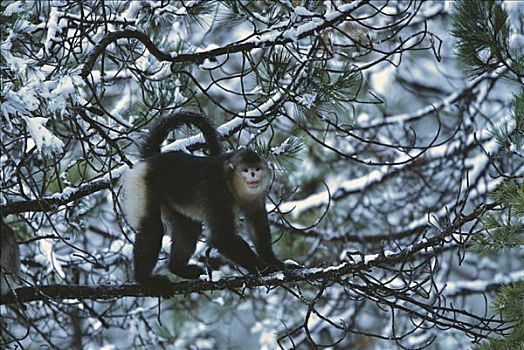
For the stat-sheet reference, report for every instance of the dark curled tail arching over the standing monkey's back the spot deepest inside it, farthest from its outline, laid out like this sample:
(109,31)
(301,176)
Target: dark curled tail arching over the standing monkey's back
(160,129)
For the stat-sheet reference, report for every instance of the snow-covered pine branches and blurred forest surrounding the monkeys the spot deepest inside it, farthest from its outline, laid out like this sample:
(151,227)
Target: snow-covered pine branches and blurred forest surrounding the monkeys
(395,130)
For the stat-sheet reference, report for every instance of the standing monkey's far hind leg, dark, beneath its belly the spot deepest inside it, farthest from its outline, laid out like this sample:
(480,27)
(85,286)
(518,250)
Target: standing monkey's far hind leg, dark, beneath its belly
(184,237)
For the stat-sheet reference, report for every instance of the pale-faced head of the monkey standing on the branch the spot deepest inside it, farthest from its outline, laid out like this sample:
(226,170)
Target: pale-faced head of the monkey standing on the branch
(249,175)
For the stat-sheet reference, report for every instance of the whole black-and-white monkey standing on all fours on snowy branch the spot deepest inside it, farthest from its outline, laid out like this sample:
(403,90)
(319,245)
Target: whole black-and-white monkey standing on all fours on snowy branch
(182,191)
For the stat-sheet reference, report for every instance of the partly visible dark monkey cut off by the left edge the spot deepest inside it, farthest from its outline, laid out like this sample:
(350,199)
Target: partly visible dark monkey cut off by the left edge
(9,258)
